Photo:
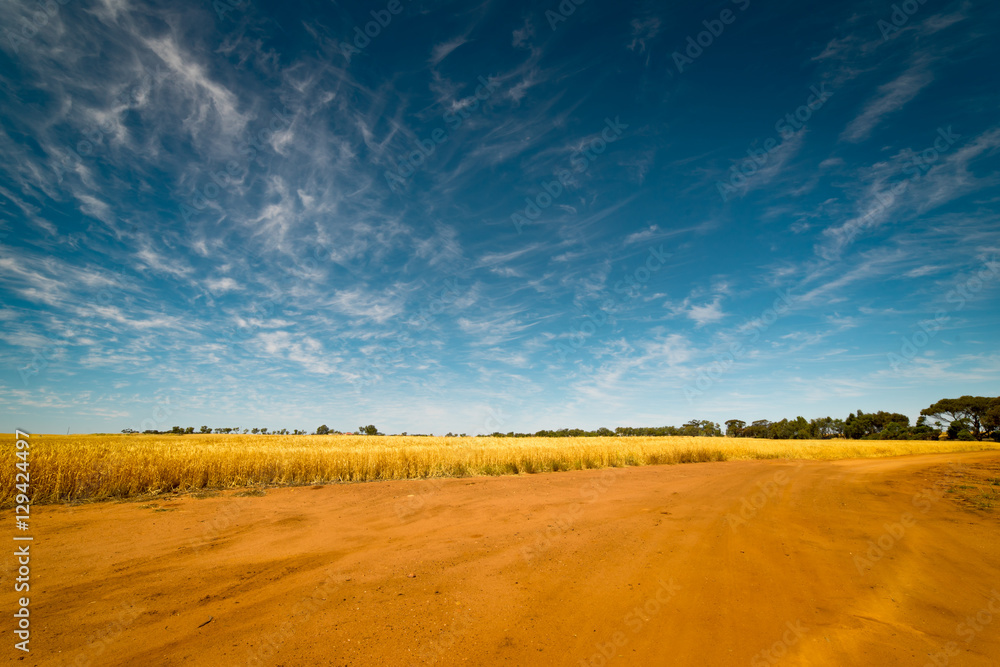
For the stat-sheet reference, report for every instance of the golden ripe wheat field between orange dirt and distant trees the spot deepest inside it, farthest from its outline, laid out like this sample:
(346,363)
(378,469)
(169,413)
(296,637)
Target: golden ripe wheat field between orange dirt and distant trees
(95,467)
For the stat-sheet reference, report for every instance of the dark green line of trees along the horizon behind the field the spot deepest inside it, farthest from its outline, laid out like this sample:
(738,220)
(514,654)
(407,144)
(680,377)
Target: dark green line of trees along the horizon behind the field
(964,418)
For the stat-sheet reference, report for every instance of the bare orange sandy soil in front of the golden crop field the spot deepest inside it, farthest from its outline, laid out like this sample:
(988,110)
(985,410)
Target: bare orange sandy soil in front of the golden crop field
(861,562)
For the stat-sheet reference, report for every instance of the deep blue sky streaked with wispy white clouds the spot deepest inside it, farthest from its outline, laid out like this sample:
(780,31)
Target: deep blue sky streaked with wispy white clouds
(503,216)
